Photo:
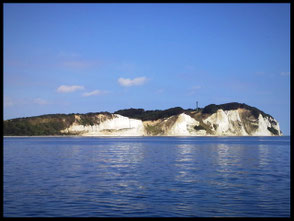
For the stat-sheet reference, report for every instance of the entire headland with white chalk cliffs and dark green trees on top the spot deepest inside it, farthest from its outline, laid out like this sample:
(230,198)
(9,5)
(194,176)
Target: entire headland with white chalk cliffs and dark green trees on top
(231,119)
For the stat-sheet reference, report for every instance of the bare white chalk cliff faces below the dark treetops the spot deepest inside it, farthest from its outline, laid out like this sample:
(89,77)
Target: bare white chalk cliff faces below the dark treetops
(237,122)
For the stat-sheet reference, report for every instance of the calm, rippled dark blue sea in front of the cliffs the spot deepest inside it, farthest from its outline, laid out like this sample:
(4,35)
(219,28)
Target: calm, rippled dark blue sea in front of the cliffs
(148,176)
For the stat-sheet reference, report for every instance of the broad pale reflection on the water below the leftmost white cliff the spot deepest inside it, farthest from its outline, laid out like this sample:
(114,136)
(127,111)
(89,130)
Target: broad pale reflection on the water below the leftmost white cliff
(122,171)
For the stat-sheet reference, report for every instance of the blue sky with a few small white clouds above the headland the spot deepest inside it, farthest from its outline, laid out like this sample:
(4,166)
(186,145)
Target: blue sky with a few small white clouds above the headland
(79,58)
